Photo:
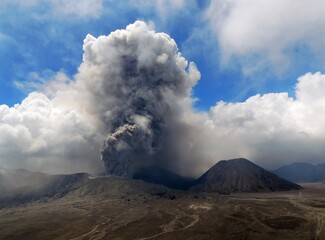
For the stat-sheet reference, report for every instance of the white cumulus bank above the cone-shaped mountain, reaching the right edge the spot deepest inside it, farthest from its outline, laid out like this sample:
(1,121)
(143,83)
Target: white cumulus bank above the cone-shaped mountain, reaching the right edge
(272,129)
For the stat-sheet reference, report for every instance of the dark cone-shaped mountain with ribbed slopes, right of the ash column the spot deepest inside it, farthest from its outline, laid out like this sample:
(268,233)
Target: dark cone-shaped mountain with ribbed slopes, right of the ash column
(240,175)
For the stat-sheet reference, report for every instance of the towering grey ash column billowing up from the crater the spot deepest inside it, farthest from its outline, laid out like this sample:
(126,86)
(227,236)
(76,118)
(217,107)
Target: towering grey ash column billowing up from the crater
(138,82)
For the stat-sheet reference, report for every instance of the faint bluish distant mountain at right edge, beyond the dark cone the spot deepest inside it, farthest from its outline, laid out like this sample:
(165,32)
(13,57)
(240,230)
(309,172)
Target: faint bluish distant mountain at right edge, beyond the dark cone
(302,172)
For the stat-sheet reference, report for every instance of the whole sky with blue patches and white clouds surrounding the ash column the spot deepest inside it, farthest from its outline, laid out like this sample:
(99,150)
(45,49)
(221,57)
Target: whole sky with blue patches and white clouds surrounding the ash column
(259,95)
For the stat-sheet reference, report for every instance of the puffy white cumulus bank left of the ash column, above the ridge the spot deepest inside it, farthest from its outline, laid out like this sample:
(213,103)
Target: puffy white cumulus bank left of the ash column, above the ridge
(39,134)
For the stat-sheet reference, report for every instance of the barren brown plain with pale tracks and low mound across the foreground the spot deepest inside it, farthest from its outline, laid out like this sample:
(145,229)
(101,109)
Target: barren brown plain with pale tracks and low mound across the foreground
(112,208)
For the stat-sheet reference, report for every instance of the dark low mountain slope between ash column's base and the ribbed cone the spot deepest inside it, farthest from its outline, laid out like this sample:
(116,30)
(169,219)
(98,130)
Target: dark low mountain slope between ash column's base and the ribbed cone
(158,175)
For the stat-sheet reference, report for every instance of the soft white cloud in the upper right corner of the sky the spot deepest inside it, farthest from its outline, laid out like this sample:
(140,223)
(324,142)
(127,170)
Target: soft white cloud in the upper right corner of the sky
(261,32)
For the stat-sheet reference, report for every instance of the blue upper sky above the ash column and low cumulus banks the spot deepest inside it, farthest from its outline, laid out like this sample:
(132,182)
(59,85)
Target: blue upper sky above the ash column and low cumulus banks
(43,37)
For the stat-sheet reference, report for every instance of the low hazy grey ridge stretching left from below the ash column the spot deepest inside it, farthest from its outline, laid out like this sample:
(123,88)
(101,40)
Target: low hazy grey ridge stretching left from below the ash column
(21,186)
